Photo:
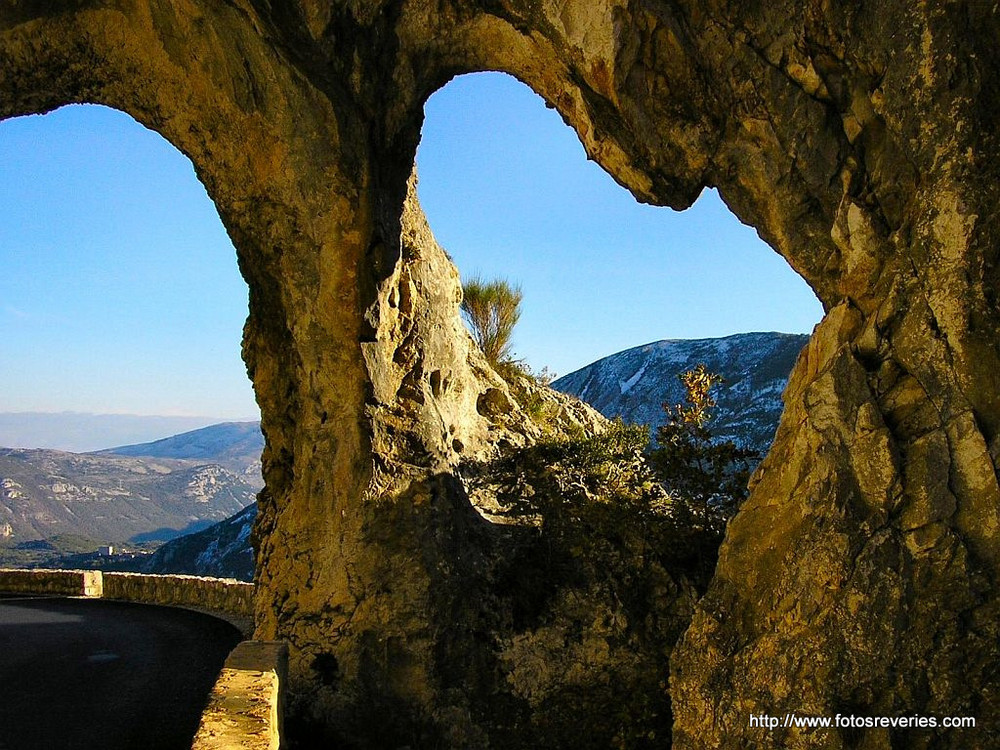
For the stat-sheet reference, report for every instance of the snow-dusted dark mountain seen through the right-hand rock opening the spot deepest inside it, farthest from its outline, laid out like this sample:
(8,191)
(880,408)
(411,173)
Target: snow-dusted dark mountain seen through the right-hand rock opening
(635,383)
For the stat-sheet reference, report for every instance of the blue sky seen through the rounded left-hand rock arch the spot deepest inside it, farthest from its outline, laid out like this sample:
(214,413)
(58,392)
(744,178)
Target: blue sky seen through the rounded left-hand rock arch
(120,292)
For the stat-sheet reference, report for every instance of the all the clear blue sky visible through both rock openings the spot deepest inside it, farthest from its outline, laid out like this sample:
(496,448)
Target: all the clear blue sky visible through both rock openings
(120,292)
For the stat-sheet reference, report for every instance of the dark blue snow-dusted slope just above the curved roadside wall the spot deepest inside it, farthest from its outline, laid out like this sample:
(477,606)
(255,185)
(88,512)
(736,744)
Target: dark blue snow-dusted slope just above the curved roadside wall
(222,550)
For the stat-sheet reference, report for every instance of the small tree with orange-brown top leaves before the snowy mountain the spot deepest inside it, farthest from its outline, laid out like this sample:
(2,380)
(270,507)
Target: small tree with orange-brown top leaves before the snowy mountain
(708,479)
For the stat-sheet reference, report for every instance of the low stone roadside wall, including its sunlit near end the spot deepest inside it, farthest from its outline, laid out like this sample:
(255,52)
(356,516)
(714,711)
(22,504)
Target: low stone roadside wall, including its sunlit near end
(245,707)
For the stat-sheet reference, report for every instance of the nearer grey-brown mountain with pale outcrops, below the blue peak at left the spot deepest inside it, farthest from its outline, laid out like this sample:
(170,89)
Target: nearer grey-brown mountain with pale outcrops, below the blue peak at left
(110,498)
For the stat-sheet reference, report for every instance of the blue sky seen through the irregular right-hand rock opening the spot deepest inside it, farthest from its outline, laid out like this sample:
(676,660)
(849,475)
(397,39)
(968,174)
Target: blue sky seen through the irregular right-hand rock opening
(510,193)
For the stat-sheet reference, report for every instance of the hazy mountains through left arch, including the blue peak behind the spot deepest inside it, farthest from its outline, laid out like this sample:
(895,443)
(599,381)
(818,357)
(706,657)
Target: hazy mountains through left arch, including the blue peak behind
(130,495)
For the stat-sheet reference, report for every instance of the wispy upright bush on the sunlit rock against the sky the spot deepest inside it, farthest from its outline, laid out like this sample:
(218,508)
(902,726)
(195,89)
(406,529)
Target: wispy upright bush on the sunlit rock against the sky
(492,309)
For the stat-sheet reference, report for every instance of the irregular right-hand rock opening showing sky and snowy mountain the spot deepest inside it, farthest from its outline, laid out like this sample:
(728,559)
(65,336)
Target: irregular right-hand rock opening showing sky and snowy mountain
(509,193)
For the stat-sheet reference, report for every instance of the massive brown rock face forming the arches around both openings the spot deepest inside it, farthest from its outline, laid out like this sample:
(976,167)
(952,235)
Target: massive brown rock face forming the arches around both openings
(860,141)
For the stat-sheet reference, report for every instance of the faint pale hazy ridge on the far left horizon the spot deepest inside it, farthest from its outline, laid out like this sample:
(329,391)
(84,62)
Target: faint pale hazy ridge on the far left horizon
(81,432)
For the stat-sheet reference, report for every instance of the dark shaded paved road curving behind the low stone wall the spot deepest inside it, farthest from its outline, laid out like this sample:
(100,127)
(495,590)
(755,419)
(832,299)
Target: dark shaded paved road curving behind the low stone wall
(77,674)
